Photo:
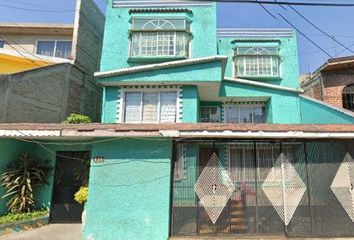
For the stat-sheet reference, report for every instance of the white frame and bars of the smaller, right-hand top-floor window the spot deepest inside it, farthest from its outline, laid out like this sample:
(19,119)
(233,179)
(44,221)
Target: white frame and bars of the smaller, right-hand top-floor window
(235,71)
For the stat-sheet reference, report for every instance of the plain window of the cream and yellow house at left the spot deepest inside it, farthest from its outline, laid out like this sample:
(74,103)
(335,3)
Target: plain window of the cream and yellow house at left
(53,48)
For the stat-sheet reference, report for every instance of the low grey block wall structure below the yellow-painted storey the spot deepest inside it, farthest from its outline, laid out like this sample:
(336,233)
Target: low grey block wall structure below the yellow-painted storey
(47,95)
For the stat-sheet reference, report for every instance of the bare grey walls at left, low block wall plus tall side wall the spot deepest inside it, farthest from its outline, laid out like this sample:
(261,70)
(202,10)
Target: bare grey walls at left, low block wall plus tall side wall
(49,94)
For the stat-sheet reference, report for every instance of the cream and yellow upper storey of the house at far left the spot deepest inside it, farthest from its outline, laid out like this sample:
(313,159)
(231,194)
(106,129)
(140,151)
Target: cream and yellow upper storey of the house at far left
(25,46)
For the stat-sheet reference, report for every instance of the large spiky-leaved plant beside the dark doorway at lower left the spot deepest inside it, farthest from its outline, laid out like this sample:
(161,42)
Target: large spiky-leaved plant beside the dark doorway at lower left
(21,179)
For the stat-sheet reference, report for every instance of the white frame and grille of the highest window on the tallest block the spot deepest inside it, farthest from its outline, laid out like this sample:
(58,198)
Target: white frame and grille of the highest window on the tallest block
(189,53)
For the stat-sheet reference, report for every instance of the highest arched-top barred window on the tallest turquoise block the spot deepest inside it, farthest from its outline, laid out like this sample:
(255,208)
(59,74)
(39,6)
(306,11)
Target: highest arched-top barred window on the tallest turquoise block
(160,38)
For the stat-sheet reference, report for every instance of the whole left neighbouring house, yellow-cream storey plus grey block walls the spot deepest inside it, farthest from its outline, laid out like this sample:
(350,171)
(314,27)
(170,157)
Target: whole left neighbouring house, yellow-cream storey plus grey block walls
(46,70)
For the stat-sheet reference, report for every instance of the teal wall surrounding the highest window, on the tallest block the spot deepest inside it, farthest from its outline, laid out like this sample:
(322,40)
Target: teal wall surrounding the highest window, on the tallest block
(115,50)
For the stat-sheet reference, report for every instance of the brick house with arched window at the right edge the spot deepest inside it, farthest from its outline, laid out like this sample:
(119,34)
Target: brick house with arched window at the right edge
(333,83)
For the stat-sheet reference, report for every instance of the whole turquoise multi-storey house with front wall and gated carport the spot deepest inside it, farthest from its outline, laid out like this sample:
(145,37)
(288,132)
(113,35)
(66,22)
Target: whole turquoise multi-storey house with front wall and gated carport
(204,132)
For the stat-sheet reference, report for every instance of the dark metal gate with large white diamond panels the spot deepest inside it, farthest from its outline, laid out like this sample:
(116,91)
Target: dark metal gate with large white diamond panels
(296,189)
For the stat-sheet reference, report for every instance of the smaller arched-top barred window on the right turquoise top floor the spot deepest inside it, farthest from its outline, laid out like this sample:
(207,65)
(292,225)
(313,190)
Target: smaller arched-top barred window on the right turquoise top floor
(257,61)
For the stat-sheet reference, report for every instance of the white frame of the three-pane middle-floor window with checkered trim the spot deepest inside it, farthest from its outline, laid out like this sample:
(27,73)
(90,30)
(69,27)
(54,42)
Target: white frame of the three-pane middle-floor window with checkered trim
(142,91)
